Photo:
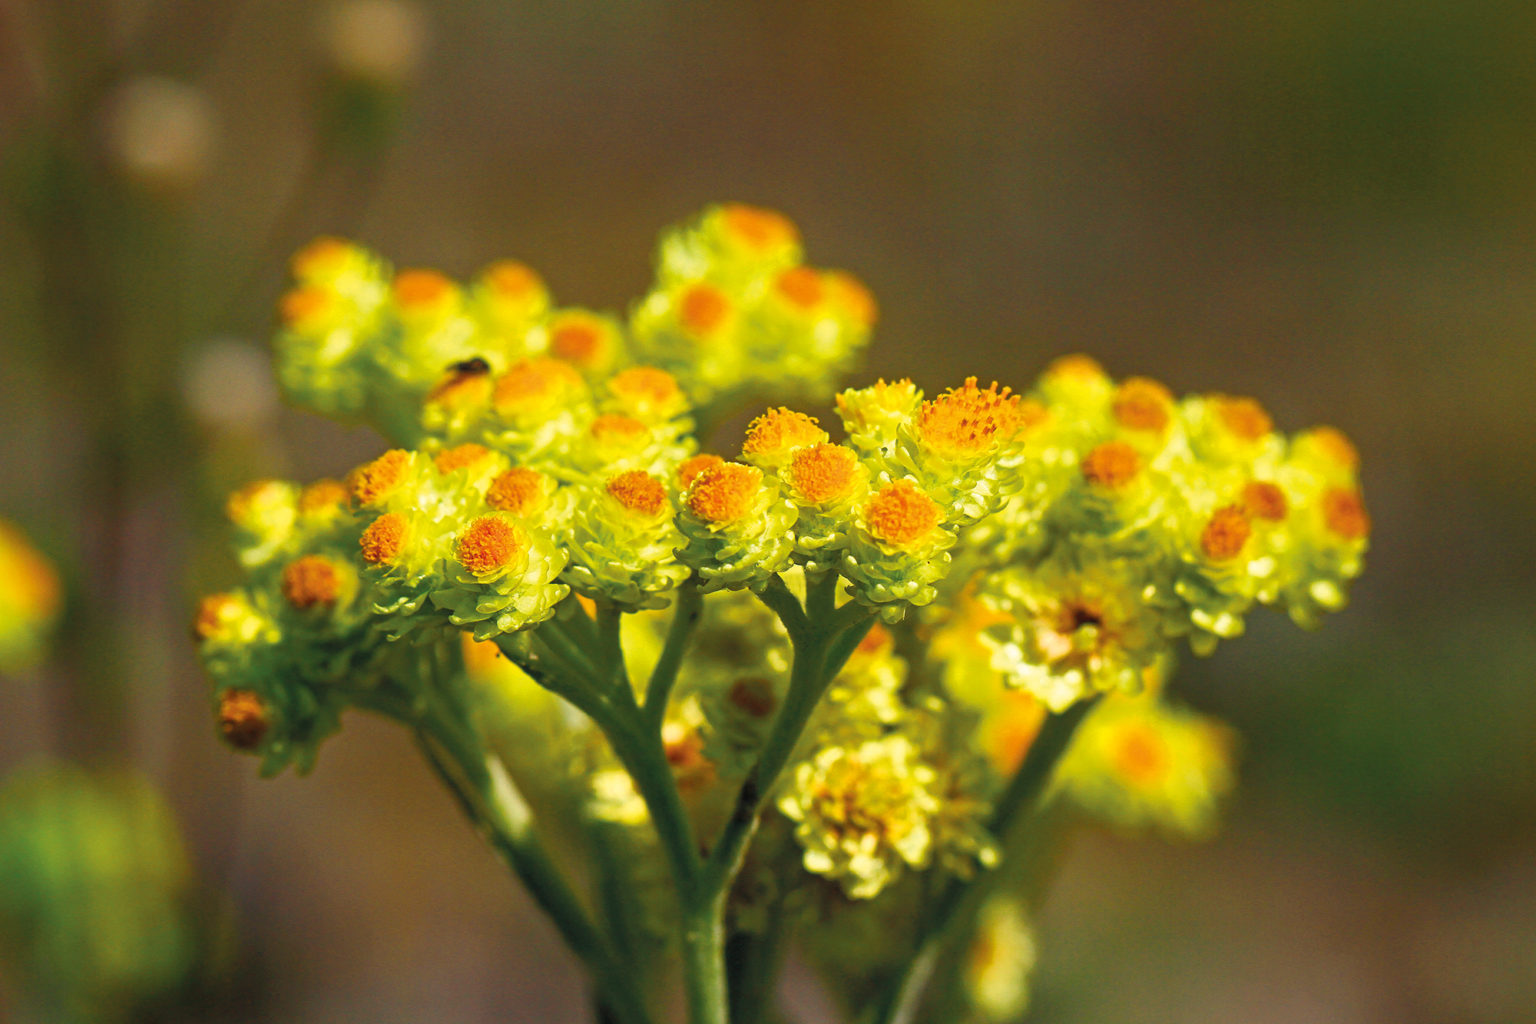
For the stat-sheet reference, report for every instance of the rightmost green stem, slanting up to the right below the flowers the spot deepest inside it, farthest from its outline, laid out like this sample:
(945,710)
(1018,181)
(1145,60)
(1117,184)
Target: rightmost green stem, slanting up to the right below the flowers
(961,900)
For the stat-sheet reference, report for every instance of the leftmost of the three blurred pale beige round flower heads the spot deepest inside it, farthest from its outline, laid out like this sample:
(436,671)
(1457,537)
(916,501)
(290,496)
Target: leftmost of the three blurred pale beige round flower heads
(161,133)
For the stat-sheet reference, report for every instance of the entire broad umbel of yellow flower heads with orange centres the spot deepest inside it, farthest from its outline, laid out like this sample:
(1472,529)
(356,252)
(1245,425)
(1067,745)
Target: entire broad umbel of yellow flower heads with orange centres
(878,623)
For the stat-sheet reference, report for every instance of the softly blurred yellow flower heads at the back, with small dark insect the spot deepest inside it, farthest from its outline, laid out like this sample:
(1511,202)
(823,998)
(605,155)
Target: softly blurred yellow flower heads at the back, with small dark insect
(735,312)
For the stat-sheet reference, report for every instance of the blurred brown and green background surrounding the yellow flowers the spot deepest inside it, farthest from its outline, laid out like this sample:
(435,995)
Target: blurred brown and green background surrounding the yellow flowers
(1323,203)
